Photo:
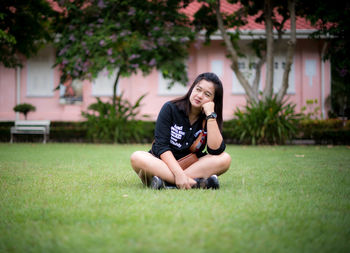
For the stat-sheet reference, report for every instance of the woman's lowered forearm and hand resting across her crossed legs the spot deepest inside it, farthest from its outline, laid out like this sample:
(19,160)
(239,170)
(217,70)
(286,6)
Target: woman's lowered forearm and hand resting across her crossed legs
(181,180)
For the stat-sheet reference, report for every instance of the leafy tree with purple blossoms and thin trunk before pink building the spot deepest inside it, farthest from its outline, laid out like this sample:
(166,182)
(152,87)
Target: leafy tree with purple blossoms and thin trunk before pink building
(126,36)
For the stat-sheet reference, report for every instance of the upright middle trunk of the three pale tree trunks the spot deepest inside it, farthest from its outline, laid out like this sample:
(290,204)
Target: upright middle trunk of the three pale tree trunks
(268,90)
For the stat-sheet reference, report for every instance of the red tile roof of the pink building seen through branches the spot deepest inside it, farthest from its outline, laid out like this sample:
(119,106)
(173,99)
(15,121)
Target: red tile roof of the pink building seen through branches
(301,23)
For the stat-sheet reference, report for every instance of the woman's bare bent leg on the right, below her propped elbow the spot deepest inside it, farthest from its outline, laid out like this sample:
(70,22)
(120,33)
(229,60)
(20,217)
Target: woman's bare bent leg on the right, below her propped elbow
(209,165)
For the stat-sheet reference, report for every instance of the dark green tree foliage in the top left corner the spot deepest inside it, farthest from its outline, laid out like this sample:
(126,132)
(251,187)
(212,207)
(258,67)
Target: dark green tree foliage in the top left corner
(24,28)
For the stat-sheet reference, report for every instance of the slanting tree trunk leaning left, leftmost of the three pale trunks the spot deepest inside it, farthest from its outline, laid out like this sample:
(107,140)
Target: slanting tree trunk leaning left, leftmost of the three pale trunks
(253,96)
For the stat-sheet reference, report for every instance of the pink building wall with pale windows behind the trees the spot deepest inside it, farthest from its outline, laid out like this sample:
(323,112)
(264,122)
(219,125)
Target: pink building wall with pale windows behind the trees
(308,75)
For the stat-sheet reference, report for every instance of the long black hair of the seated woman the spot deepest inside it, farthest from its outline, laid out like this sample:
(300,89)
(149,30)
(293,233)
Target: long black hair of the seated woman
(184,102)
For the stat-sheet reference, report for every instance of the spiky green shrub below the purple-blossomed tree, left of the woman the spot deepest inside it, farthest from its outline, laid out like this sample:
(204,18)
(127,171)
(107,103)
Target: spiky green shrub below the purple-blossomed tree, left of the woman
(106,123)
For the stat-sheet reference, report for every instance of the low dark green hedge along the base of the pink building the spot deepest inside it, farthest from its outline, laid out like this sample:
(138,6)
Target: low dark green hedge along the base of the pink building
(330,131)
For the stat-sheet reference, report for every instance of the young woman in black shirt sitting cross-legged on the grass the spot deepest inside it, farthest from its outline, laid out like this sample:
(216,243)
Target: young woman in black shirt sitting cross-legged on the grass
(177,126)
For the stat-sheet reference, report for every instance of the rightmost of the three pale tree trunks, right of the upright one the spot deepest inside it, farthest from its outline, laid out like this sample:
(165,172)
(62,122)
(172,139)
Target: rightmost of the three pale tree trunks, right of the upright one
(290,51)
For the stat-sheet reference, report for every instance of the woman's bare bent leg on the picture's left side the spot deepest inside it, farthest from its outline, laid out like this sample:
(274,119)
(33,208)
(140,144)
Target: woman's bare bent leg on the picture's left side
(146,165)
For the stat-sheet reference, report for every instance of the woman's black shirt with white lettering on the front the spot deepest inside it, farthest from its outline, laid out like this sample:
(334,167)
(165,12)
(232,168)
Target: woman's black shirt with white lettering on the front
(174,133)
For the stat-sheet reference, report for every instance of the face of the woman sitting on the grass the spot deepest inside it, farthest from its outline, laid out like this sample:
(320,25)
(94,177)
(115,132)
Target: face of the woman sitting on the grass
(203,92)
